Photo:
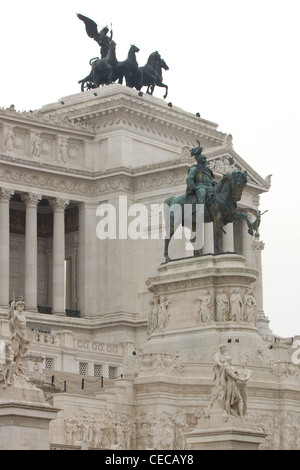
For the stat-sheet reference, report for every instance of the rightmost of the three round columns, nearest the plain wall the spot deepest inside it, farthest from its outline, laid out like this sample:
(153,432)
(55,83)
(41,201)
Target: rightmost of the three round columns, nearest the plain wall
(58,274)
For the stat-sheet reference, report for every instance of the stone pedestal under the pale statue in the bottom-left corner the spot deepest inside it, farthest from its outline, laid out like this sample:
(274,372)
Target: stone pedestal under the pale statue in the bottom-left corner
(24,418)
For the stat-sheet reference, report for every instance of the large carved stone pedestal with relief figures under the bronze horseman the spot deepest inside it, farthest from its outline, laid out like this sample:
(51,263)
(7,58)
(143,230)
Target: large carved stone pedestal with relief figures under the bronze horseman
(186,311)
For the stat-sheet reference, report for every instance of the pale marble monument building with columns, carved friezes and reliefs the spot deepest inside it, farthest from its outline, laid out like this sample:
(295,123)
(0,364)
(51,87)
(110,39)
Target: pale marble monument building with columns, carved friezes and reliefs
(141,334)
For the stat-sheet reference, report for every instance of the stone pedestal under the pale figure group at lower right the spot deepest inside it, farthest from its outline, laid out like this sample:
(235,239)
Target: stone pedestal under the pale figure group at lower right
(215,434)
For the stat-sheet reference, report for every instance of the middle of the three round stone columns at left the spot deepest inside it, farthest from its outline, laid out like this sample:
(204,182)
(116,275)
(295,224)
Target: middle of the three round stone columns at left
(31,201)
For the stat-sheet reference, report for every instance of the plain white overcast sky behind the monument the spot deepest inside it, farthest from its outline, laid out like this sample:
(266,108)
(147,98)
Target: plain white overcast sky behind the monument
(234,61)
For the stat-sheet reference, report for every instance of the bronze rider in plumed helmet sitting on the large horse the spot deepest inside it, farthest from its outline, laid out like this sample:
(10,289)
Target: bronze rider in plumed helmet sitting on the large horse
(200,179)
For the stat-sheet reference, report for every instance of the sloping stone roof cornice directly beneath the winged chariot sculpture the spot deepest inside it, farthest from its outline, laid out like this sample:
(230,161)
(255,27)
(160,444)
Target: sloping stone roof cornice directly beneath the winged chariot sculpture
(116,106)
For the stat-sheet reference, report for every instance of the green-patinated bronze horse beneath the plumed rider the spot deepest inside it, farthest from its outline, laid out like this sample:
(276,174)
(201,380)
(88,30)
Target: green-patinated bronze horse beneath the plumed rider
(221,209)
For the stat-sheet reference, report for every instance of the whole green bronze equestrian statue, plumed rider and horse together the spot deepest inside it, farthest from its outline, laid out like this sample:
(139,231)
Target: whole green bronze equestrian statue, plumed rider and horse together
(219,200)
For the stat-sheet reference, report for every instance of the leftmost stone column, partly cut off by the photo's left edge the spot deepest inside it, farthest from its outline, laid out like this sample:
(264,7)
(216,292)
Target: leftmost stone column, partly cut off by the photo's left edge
(5,195)
